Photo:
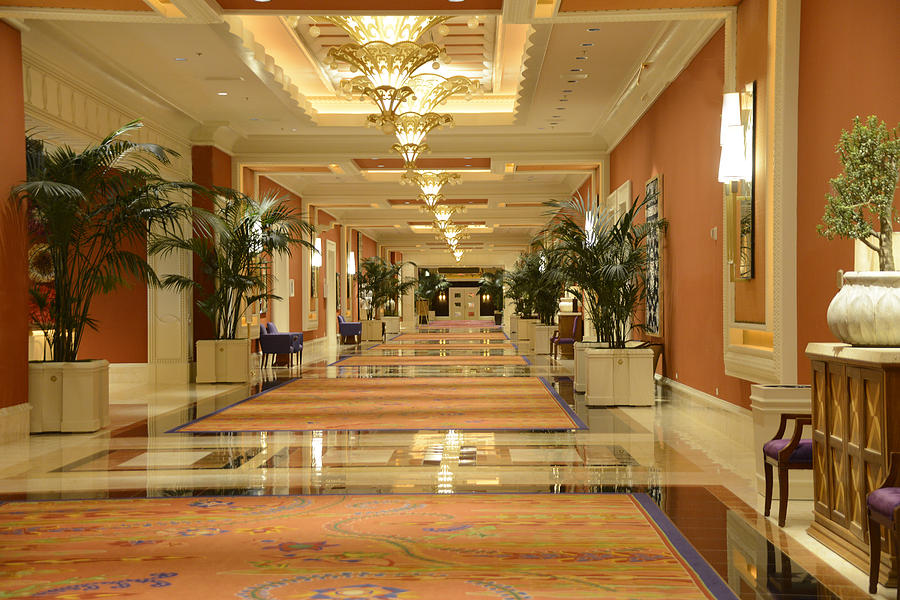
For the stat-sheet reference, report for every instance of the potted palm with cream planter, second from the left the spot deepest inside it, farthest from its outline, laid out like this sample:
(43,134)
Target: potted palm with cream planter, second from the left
(232,241)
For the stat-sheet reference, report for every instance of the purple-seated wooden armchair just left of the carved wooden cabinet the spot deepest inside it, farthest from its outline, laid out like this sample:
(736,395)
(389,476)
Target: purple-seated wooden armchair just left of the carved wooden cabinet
(785,454)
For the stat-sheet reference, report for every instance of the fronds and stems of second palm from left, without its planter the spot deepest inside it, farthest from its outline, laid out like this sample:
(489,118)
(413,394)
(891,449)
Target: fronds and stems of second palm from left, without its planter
(230,243)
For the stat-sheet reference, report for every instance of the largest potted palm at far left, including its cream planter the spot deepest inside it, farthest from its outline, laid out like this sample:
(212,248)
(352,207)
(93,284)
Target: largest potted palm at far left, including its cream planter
(85,209)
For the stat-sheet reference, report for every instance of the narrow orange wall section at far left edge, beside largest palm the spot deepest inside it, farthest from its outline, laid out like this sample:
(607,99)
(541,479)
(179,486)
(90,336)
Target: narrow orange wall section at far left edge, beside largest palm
(13,282)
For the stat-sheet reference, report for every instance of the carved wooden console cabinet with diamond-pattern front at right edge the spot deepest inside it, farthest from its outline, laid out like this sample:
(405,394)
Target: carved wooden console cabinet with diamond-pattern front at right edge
(856,425)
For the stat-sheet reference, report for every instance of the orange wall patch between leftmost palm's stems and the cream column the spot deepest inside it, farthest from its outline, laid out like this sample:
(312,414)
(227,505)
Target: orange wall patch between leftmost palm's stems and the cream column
(121,335)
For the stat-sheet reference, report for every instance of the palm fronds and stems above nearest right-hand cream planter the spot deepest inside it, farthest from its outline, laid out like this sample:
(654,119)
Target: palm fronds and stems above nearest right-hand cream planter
(606,258)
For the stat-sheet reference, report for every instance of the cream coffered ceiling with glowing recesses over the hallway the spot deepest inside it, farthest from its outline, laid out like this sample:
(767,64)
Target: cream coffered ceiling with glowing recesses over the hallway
(562,81)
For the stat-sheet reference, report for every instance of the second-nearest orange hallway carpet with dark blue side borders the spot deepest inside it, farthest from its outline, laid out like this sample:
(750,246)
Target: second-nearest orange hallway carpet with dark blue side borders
(396,403)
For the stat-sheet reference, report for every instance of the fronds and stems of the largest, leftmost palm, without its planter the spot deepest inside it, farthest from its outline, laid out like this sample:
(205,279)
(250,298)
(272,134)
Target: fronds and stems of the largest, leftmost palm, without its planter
(85,209)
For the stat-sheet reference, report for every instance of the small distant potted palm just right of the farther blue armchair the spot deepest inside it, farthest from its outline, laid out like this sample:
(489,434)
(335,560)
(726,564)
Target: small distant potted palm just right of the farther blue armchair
(381,283)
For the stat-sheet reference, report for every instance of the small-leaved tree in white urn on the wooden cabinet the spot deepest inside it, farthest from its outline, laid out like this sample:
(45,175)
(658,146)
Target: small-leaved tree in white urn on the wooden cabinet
(866,310)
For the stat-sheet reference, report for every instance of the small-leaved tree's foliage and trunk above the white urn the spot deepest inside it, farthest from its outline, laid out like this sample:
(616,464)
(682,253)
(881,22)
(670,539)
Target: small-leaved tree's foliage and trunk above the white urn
(864,193)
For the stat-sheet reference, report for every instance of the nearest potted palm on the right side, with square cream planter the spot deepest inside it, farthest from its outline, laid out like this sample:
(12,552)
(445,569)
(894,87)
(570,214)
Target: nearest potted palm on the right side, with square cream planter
(606,258)
